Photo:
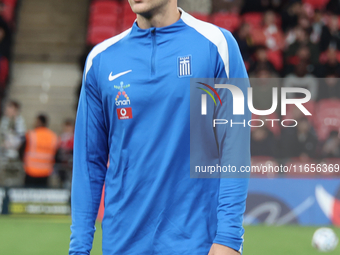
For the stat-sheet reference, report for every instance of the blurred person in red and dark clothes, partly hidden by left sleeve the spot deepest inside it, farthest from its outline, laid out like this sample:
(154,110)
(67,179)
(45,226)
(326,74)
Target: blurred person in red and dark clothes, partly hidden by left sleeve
(65,154)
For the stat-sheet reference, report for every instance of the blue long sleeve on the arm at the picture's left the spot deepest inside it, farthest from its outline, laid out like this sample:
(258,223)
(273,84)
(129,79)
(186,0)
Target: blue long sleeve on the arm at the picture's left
(89,165)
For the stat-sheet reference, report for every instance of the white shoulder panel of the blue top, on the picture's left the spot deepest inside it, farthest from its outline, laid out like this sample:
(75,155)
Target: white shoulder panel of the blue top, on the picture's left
(101,47)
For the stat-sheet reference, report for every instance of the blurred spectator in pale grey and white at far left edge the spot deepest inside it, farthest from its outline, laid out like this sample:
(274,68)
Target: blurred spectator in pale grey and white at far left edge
(12,130)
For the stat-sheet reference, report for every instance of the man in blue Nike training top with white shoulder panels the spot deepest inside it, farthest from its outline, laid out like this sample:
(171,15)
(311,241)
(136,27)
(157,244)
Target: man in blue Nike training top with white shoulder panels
(134,108)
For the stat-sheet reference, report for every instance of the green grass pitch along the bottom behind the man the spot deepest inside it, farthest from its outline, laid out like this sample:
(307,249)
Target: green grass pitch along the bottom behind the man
(44,235)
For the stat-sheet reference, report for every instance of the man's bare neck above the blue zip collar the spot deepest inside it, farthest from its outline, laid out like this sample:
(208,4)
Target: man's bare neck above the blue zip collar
(161,18)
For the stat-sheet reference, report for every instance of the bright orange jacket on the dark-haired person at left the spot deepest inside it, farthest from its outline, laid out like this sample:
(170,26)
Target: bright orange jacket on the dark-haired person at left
(41,147)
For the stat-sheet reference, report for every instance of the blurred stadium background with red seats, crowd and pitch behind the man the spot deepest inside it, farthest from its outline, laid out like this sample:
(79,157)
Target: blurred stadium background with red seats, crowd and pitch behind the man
(43,47)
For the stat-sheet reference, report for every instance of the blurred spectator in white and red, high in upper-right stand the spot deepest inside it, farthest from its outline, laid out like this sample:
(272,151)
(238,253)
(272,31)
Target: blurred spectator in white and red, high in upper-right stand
(273,34)
